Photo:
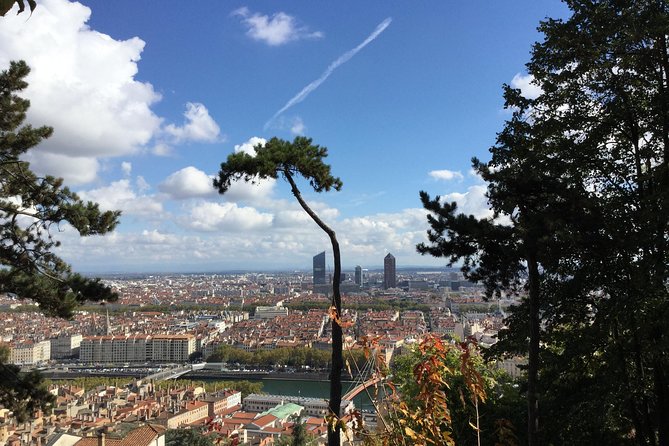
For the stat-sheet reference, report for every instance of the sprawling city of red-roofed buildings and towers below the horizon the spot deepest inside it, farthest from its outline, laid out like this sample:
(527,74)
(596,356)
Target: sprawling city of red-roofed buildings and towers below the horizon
(162,323)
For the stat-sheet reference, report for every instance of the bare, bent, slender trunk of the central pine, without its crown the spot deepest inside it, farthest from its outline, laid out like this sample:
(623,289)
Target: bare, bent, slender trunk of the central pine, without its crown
(334,432)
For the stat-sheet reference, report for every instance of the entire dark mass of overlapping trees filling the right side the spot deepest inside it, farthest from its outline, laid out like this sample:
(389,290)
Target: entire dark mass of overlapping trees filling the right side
(581,175)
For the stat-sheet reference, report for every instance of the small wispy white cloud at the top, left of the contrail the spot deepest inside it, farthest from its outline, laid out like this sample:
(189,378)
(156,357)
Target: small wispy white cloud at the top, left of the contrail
(276,30)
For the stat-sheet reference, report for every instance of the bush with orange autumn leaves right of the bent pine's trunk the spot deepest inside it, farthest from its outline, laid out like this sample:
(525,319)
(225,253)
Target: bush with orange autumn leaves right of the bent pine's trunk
(449,395)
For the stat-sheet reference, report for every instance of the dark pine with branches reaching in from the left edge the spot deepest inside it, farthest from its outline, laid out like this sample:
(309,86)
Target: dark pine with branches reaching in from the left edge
(30,207)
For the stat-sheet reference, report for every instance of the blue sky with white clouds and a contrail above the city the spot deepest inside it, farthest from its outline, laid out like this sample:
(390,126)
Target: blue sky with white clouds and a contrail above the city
(148,98)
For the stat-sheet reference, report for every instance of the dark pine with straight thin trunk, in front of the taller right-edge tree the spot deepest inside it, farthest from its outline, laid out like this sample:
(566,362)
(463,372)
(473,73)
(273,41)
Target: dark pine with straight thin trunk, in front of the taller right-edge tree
(518,249)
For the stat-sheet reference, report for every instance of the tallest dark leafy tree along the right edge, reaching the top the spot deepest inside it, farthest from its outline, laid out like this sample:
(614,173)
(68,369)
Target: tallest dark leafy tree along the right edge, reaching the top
(605,77)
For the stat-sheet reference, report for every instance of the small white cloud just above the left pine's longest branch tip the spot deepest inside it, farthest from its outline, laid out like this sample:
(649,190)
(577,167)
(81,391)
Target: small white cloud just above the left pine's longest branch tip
(119,195)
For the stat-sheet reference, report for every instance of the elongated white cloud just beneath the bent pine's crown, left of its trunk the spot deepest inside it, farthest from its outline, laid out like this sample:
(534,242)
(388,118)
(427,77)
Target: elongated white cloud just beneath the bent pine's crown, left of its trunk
(209,216)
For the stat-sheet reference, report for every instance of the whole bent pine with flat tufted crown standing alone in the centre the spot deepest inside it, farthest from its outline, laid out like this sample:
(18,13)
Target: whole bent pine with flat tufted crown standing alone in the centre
(289,160)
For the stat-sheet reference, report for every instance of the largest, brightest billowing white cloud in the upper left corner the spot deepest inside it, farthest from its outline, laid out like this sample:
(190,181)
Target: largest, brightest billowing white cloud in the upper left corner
(82,83)
